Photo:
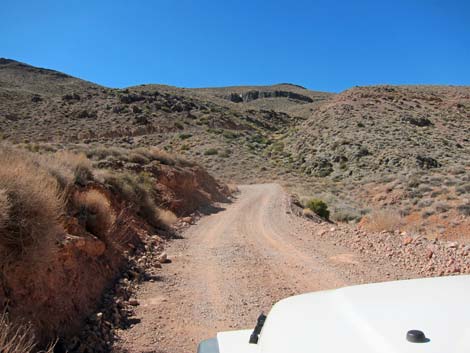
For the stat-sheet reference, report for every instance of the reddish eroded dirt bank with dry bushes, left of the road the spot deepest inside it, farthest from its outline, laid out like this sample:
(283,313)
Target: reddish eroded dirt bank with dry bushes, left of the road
(56,266)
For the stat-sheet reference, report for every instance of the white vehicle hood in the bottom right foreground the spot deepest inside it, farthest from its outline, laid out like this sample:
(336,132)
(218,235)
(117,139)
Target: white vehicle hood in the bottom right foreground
(371,318)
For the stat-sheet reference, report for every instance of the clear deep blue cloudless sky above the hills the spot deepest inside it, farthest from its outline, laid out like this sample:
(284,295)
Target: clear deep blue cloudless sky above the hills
(326,45)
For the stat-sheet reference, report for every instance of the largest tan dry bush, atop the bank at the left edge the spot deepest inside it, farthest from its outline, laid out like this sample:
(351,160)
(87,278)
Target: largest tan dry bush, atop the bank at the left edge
(31,206)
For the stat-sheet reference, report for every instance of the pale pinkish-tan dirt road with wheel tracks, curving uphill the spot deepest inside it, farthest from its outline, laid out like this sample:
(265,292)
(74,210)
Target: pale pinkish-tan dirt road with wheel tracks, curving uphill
(234,264)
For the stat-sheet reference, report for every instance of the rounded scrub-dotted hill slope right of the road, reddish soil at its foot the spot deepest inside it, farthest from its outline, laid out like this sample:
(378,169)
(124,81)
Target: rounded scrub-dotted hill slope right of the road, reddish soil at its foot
(405,149)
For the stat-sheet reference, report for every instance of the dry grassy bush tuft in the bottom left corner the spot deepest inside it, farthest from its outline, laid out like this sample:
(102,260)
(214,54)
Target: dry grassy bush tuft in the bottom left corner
(18,338)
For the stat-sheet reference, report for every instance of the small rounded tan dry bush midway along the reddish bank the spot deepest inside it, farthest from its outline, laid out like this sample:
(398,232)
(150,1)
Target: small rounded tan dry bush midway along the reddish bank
(96,212)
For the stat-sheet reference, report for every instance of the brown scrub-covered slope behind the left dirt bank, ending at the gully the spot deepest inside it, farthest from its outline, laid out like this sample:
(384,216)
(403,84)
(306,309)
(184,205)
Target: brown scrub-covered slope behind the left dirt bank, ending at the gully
(39,106)
